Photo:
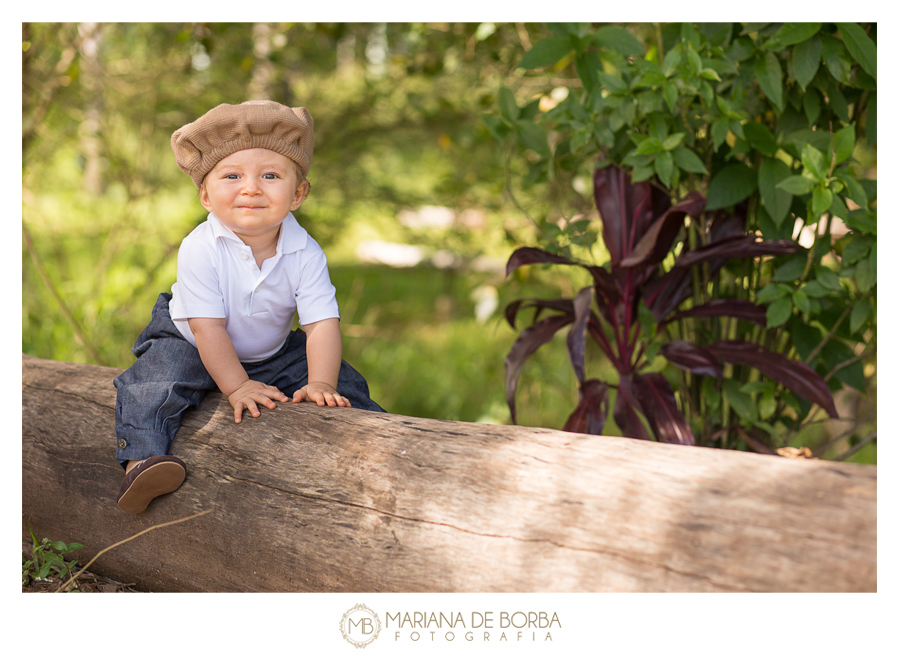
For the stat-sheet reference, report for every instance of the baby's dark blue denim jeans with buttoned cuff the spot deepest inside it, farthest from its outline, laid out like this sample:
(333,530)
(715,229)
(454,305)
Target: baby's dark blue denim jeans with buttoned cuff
(169,378)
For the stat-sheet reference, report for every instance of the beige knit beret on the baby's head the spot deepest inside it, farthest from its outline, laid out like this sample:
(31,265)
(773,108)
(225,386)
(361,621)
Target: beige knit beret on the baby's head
(227,128)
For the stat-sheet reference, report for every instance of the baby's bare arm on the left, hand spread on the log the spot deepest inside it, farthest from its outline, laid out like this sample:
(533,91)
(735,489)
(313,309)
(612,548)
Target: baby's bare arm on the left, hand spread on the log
(220,358)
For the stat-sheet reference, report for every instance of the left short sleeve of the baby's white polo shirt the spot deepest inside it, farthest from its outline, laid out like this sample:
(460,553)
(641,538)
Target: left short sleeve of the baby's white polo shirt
(197,293)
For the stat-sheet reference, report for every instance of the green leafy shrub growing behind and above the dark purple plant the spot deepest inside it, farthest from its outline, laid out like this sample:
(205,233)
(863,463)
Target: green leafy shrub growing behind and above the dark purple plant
(774,124)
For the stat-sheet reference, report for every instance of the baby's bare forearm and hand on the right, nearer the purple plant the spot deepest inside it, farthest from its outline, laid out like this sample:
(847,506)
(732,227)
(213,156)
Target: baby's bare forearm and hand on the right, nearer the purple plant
(323,356)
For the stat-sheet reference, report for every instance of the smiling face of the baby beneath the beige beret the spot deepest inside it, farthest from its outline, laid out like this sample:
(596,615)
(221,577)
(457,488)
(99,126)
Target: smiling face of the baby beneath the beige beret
(251,191)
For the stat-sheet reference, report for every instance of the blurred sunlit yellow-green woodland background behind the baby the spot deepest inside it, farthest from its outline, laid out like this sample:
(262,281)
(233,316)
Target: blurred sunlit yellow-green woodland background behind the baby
(398,110)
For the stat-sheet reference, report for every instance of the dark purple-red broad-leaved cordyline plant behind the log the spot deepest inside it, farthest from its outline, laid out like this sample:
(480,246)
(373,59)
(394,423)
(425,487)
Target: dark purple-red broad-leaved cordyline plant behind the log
(640,227)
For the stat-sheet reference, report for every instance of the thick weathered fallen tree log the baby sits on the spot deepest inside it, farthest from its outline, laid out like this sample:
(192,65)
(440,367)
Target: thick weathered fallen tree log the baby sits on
(310,499)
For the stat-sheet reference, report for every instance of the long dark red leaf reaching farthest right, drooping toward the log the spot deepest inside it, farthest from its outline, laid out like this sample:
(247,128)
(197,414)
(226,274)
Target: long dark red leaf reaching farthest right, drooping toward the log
(798,377)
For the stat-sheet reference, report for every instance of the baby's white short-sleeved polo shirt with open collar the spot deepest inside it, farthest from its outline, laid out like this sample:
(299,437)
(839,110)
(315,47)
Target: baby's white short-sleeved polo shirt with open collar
(217,277)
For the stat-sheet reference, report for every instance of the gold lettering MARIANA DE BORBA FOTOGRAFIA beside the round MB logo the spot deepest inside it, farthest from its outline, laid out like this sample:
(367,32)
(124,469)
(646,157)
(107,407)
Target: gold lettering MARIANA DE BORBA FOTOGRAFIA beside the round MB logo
(478,626)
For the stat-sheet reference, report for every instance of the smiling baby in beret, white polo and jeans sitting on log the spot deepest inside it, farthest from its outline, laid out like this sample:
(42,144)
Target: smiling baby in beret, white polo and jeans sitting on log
(242,276)
